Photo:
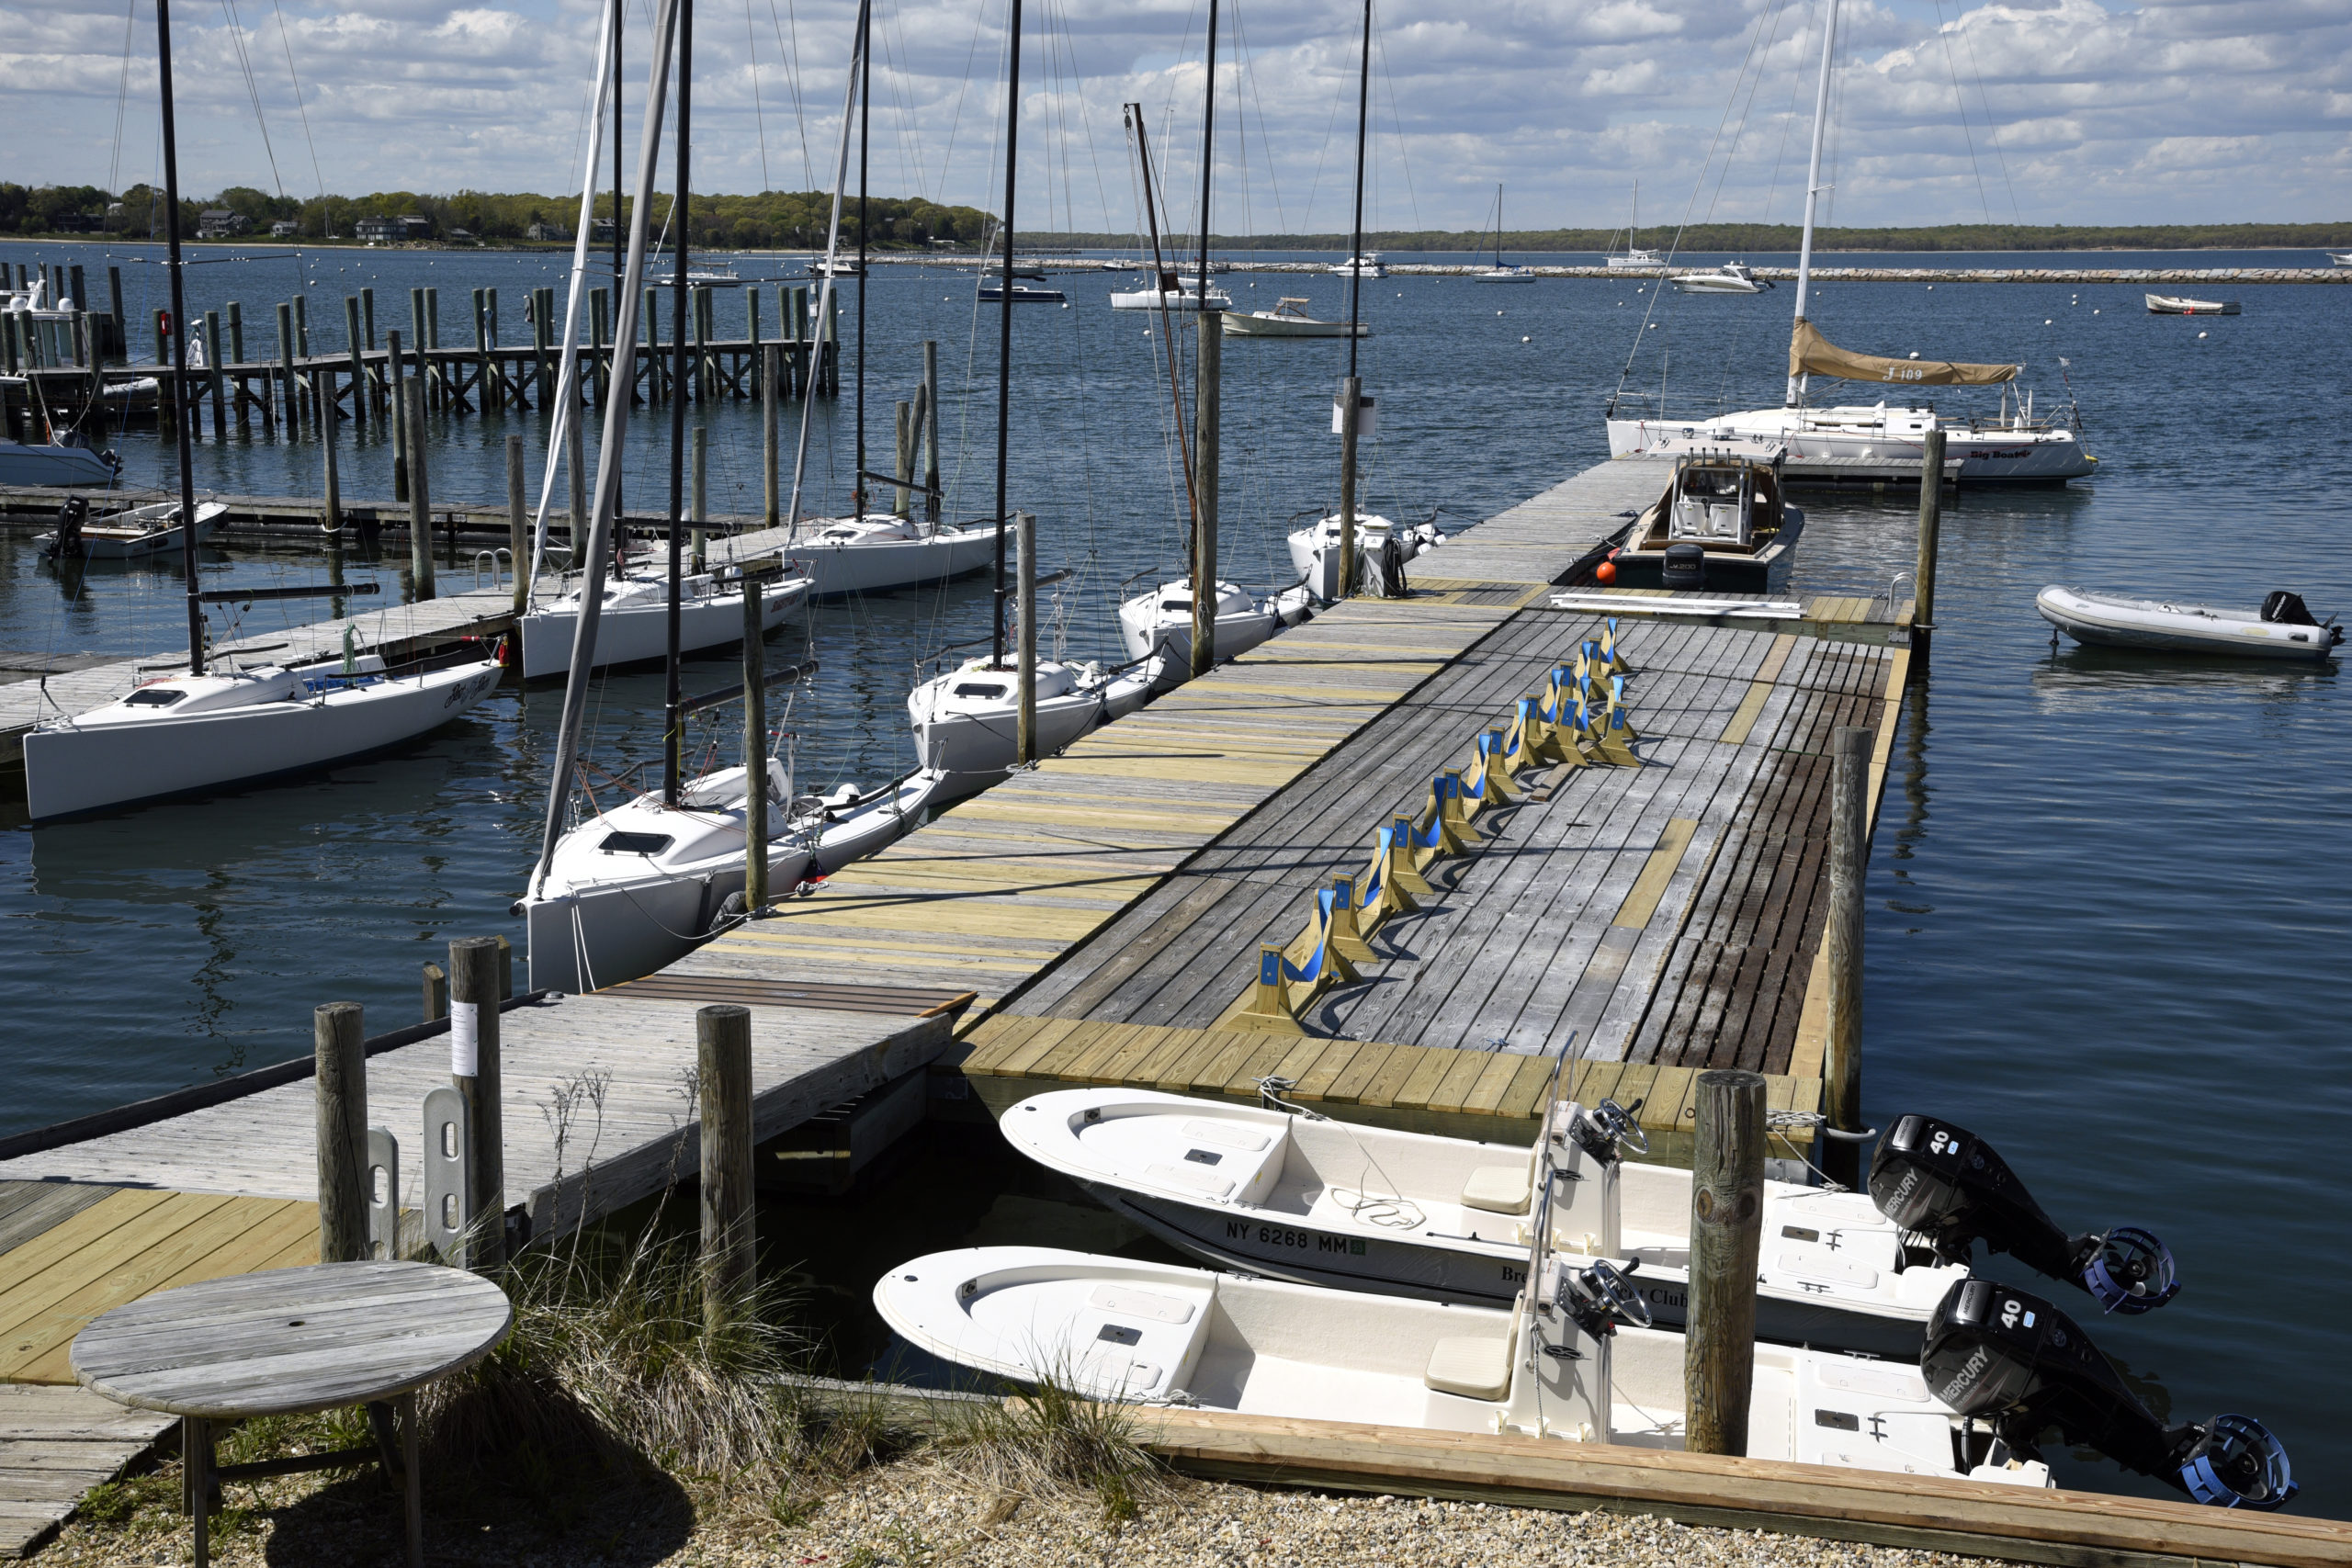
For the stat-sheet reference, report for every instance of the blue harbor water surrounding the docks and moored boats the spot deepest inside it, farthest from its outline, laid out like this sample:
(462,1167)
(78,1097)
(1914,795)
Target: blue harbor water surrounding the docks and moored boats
(2109,894)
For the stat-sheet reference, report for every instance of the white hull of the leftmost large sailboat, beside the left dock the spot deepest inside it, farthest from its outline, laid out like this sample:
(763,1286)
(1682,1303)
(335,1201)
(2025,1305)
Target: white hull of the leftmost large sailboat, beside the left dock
(79,768)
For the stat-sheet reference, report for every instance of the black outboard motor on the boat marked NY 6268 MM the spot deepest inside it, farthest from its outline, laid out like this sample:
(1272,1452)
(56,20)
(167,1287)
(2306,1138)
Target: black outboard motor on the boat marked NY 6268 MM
(1949,1188)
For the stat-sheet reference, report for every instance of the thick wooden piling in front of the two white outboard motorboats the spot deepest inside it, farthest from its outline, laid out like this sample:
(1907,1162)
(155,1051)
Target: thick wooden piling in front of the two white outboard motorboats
(1728,1231)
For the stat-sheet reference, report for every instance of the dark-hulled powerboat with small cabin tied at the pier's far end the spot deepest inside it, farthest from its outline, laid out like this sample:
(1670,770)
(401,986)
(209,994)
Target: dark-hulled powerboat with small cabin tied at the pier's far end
(1723,523)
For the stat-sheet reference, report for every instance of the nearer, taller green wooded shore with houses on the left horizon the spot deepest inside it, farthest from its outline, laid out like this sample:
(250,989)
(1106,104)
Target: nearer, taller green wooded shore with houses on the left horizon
(719,222)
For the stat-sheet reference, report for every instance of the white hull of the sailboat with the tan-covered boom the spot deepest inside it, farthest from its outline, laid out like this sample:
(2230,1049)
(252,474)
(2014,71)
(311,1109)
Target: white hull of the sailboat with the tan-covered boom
(1986,457)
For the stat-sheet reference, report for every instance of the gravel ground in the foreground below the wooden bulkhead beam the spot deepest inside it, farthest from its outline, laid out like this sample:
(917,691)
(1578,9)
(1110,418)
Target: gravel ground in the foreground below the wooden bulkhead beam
(921,1513)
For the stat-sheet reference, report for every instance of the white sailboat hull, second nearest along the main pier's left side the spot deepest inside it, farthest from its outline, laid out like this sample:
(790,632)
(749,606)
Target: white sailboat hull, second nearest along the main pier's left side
(968,718)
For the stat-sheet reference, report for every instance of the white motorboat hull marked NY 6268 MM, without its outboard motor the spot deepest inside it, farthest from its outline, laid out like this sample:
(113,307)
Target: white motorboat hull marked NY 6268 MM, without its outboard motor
(1448,1219)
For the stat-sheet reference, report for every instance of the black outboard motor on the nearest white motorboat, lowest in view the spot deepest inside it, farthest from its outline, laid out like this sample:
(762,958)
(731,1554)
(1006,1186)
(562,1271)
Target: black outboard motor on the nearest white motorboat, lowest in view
(2024,1367)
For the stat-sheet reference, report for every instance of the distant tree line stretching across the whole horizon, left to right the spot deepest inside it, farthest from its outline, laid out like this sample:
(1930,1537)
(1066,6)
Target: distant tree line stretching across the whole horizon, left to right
(799,220)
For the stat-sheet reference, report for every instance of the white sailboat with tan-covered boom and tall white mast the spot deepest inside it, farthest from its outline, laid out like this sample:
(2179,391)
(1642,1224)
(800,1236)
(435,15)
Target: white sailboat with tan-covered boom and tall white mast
(2007,448)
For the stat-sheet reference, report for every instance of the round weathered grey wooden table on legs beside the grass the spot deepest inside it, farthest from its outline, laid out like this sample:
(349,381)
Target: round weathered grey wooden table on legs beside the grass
(293,1343)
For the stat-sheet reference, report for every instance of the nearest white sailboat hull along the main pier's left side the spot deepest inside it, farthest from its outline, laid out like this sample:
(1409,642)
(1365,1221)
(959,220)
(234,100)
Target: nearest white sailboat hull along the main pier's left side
(643,885)
